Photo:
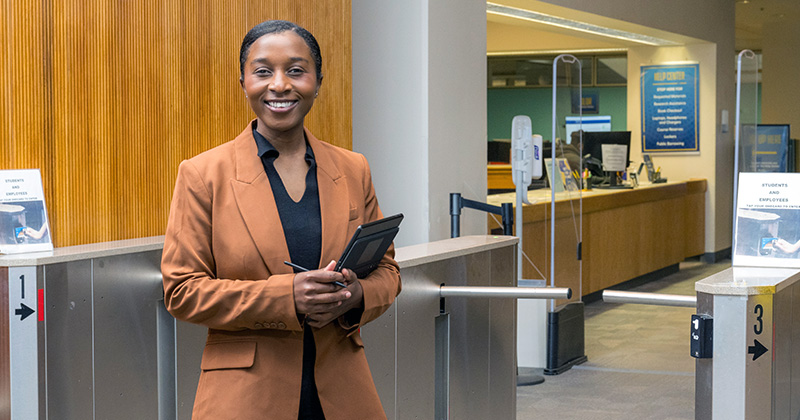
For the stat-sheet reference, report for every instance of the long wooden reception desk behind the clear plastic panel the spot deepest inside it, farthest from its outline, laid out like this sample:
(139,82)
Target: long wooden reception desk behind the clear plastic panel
(625,233)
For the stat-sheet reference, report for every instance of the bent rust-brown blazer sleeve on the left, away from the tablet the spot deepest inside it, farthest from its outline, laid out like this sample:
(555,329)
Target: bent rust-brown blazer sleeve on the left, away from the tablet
(192,292)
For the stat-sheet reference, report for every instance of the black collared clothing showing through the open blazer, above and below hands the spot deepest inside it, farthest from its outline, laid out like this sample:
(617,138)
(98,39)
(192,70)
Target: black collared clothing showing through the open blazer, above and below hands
(302,228)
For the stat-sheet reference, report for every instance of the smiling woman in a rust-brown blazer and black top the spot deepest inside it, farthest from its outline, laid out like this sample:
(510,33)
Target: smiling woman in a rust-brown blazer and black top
(281,345)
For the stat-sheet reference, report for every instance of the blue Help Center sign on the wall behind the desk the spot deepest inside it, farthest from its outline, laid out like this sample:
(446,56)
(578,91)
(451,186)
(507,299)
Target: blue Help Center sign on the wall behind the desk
(669,108)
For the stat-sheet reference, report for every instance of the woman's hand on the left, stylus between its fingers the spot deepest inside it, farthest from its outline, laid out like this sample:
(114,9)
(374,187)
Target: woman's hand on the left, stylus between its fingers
(315,293)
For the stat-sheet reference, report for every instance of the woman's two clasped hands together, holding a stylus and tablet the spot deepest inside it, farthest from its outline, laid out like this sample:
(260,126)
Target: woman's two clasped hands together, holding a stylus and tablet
(320,300)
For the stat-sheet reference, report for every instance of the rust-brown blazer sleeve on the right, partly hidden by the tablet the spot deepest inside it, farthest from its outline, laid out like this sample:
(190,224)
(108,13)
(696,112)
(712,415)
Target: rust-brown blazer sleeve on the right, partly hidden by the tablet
(383,285)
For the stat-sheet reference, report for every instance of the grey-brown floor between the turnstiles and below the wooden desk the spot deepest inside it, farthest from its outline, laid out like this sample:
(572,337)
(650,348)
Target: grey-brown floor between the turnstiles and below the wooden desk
(639,365)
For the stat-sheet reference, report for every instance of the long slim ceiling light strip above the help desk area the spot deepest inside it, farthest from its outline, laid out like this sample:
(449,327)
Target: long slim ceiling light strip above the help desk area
(497,9)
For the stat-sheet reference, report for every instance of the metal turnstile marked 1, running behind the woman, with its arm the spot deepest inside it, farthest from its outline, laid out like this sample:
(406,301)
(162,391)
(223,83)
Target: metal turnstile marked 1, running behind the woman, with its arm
(84,334)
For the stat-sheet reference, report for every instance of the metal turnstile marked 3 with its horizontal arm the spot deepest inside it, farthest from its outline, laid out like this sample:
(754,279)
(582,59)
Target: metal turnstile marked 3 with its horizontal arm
(746,338)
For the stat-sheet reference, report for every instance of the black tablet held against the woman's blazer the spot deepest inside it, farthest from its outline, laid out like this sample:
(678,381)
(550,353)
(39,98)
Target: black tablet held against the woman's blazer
(368,245)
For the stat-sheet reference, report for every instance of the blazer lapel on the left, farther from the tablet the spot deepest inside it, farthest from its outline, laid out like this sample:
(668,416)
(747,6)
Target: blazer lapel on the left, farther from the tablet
(256,204)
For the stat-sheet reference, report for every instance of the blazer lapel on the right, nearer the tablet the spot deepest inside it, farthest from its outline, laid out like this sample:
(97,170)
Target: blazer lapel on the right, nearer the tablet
(334,202)
